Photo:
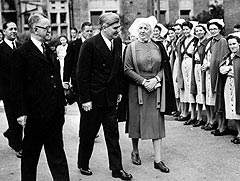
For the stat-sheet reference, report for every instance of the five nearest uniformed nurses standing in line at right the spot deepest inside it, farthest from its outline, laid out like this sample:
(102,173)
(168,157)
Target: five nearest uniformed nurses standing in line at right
(203,77)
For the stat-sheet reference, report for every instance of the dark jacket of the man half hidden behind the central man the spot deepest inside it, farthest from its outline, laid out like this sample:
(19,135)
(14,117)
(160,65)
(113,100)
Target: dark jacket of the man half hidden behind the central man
(70,62)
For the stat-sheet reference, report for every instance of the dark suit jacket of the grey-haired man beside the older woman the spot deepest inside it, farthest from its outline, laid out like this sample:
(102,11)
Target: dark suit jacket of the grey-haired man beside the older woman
(99,72)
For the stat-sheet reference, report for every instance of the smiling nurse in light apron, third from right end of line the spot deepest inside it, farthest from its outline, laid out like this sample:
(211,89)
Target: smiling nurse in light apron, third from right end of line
(198,79)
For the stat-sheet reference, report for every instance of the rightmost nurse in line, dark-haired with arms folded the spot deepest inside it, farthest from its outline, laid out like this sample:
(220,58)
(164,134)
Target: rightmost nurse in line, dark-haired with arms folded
(230,70)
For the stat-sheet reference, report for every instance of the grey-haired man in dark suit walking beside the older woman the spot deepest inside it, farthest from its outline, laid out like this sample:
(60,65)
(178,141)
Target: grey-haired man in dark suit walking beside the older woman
(99,72)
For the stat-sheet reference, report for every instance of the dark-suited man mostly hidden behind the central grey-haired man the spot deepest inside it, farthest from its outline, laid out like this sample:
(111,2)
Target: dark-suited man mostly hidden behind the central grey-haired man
(70,61)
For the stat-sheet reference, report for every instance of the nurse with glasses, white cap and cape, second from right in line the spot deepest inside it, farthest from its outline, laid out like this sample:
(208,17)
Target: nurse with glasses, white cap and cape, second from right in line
(215,50)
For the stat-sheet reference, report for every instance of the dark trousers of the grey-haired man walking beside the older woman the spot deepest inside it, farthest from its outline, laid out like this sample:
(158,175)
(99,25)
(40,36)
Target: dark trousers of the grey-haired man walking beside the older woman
(89,126)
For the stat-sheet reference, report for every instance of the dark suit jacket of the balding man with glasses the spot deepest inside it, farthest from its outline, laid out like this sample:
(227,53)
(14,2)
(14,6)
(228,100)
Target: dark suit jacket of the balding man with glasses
(36,85)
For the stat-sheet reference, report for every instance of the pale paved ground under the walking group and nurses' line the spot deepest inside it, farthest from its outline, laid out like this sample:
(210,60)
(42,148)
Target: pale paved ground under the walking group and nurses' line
(191,154)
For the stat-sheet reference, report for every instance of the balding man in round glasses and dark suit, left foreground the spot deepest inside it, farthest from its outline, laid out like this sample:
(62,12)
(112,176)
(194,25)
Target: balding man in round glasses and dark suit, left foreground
(38,95)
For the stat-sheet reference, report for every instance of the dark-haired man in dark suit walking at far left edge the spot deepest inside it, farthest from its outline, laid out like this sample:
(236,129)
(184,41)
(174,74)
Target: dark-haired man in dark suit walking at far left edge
(14,131)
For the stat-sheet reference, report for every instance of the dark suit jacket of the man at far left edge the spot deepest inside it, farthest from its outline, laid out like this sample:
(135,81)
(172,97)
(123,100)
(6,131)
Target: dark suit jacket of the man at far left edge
(5,69)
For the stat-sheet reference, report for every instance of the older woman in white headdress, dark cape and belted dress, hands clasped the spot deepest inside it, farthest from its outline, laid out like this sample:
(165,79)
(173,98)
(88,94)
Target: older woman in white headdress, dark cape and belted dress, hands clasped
(147,66)
